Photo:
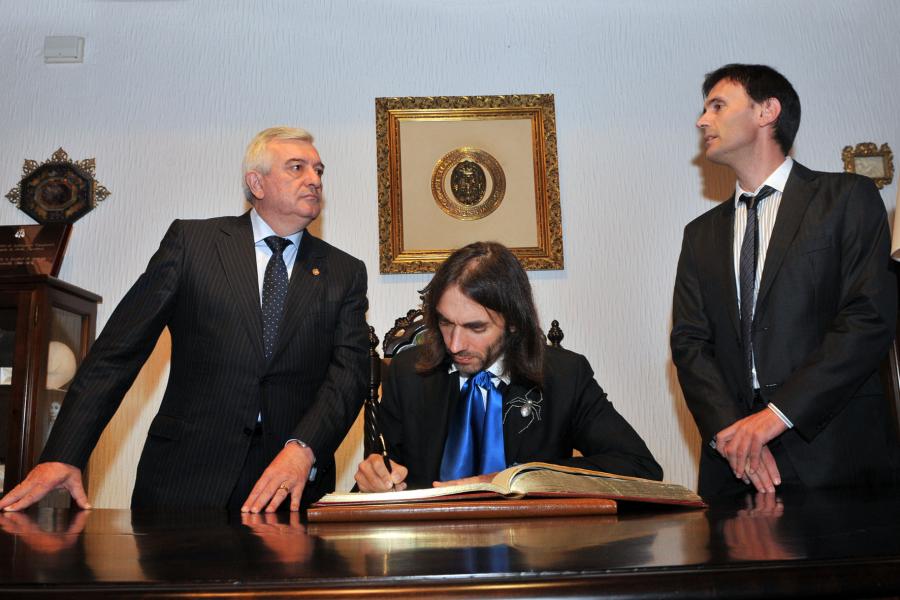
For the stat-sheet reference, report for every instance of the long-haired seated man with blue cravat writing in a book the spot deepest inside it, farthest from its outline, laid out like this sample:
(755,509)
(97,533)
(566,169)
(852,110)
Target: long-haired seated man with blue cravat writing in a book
(484,392)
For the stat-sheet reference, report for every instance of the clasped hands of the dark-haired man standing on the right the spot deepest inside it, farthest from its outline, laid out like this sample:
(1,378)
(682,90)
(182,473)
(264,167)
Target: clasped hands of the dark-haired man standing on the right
(744,445)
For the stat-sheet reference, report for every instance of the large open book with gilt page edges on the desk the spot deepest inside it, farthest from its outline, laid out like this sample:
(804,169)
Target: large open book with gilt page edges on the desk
(525,482)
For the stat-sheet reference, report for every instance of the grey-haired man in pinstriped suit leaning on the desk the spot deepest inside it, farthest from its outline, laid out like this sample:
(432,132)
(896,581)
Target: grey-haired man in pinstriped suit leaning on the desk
(269,350)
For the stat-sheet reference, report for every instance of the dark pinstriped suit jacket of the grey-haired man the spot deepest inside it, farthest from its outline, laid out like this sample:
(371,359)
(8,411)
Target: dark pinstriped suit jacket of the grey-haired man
(202,285)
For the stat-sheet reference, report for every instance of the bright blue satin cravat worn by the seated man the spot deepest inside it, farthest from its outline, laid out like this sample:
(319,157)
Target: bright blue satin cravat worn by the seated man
(474,443)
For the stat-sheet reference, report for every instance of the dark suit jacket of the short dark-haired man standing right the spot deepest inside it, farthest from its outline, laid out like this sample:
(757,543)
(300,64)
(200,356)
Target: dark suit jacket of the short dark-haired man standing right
(825,317)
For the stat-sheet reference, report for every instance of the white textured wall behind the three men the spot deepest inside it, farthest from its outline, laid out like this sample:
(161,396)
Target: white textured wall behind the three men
(171,91)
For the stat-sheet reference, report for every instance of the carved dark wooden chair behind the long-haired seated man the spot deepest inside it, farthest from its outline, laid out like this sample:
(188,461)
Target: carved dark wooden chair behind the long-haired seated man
(405,334)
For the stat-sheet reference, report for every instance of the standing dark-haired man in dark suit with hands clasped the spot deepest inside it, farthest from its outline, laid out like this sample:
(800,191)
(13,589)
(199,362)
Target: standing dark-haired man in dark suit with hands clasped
(784,305)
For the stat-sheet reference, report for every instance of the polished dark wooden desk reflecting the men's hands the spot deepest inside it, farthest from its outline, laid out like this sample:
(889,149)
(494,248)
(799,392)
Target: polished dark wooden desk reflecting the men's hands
(815,545)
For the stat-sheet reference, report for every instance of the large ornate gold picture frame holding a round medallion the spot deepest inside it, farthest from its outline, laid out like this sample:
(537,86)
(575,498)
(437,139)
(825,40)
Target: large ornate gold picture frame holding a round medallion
(457,169)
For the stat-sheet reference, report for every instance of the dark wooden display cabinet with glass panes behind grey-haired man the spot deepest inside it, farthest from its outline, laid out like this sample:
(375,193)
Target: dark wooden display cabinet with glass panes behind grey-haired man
(46,328)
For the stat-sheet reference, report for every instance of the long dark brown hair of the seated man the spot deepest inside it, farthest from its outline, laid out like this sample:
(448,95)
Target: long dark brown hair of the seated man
(489,274)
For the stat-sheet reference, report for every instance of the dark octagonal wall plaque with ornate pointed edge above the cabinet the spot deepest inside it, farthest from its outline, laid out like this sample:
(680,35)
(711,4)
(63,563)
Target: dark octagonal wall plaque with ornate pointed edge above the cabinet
(58,190)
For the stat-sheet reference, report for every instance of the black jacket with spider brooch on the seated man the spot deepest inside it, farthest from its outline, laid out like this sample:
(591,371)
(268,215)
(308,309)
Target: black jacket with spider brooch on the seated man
(574,414)
